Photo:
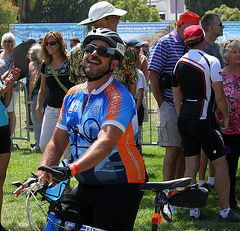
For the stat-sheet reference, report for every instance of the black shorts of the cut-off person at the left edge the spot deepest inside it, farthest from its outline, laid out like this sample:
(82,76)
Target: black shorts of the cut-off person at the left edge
(5,141)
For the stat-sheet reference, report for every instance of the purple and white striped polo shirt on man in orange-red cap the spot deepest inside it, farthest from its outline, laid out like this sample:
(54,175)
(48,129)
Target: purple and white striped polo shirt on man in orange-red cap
(163,57)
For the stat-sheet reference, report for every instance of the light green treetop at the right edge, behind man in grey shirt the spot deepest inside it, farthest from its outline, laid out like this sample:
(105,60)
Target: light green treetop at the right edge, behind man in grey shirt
(227,13)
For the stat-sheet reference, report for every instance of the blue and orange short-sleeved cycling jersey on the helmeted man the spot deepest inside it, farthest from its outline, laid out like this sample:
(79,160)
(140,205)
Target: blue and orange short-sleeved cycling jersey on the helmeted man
(110,104)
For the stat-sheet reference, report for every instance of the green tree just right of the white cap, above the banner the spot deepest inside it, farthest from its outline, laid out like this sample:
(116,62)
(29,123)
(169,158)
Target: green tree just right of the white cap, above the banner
(137,10)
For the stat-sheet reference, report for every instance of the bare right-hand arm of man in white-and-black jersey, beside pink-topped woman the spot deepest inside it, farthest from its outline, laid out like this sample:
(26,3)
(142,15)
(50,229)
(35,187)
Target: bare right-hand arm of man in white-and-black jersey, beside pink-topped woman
(222,104)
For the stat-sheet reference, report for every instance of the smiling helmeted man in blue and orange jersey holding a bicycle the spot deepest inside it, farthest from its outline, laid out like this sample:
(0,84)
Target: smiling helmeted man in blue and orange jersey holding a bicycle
(100,121)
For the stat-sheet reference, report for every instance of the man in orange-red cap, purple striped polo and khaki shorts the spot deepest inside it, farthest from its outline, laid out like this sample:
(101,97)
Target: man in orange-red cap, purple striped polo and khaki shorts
(163,56)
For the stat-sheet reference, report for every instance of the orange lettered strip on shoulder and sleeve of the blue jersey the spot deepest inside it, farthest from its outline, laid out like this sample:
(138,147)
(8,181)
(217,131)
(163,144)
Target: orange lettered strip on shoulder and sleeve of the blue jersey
(114,105)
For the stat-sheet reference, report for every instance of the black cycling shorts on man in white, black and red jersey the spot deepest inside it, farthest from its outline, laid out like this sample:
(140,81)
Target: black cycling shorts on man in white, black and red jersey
(201,133)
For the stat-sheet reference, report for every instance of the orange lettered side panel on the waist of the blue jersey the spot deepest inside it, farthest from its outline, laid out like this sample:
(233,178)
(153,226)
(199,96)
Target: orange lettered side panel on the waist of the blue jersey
(131,157)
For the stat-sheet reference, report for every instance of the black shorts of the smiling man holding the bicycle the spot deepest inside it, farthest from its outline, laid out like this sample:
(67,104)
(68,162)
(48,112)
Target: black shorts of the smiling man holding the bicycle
(109,207)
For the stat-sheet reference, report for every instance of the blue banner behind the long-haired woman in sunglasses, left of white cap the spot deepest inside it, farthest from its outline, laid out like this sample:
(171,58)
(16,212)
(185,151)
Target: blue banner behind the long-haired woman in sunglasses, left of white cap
(69,30)
